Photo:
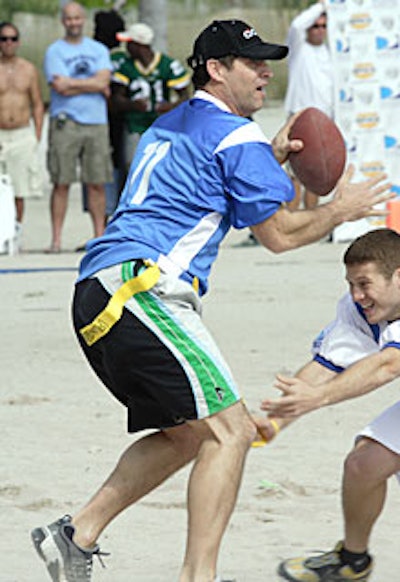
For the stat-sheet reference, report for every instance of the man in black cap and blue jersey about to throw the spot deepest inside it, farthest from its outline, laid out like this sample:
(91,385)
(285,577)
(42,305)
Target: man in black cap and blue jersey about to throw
(198,170)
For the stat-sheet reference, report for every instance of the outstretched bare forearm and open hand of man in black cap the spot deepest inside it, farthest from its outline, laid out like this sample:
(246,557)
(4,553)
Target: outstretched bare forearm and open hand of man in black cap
(286,230)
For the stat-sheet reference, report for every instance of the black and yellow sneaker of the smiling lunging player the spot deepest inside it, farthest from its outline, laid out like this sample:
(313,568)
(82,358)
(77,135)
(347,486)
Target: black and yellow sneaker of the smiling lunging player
(328,567)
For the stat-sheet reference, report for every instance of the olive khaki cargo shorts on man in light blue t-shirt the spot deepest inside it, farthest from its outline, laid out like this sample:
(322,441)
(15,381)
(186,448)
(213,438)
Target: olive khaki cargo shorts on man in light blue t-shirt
(73,147)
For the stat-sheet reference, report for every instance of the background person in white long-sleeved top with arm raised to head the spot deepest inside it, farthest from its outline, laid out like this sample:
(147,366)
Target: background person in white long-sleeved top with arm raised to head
(310,79)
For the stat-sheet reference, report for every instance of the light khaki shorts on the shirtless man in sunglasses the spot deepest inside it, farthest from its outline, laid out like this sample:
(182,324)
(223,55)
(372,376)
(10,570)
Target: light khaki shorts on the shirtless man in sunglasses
(19,154)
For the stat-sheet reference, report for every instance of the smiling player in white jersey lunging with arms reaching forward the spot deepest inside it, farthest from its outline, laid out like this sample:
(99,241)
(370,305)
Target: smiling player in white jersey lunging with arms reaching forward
(357,353)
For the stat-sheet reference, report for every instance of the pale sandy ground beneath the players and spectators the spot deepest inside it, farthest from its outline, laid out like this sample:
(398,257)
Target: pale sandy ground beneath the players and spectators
(62,432)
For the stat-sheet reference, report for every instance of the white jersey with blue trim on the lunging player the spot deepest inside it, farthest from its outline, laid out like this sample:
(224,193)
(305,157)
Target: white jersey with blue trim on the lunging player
(350,337)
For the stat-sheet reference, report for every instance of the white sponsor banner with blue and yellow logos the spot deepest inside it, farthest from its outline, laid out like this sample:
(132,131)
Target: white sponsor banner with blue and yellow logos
(364,38)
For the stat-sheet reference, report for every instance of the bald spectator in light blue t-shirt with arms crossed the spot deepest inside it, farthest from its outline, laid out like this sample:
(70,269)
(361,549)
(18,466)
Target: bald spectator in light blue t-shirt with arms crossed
(78,71)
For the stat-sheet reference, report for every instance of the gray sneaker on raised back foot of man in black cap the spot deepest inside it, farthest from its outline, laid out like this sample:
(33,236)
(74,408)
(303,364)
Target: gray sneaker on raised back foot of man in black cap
(65,561)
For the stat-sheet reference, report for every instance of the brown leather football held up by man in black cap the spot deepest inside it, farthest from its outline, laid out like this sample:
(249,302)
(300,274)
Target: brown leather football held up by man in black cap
(320,164)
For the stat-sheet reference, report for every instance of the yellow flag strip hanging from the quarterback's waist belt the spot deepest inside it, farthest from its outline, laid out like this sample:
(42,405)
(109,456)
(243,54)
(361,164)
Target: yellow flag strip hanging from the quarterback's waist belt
(102,324)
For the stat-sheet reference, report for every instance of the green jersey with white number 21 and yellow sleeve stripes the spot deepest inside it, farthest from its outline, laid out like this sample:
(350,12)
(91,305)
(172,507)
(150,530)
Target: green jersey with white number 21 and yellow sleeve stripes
(153,83)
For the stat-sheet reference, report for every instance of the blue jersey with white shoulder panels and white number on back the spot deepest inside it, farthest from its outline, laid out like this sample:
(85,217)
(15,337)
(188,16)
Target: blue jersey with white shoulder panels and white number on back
(197,171)
